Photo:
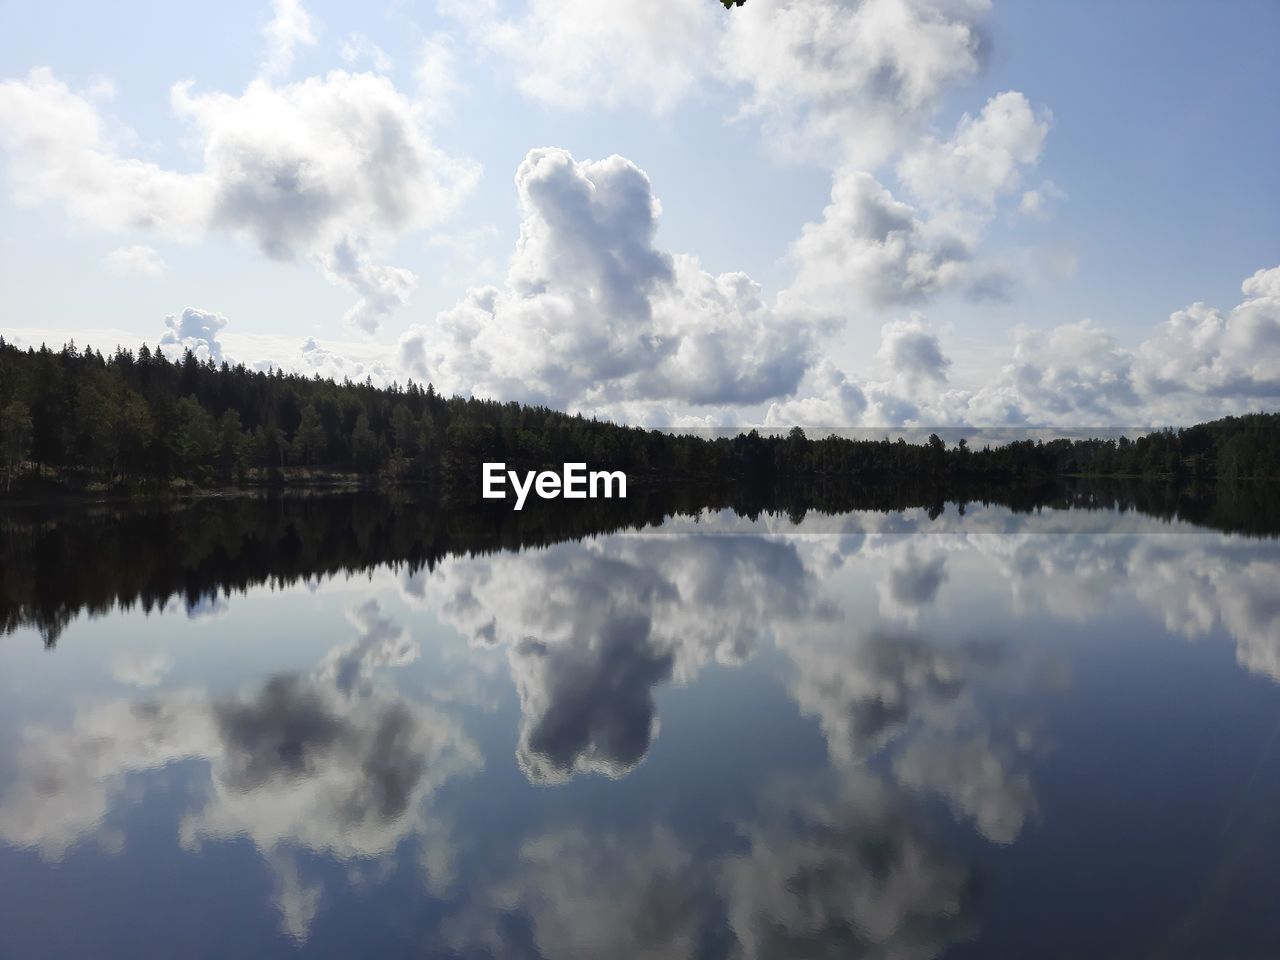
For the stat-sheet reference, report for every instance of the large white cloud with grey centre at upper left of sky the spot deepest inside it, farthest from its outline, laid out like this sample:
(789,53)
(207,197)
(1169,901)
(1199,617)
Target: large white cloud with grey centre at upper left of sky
(330,168)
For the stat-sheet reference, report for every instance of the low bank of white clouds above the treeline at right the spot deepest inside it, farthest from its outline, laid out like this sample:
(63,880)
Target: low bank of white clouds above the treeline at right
(1201,364)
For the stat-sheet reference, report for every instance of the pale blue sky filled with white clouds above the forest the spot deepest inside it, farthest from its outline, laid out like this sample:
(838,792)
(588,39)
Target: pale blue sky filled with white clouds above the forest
(829,213)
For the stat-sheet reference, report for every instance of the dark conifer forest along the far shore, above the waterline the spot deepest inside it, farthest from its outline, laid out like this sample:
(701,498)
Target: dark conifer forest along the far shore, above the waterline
(75,419)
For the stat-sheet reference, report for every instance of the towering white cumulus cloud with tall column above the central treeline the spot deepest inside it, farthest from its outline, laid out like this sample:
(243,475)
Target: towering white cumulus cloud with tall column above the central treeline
(595,314)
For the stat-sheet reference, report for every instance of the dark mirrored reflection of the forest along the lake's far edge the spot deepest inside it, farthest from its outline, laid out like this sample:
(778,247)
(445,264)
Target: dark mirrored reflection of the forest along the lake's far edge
(57,563)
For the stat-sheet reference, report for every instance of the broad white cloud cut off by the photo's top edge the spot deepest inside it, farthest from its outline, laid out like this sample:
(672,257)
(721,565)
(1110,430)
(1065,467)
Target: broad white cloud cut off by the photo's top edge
(825,77)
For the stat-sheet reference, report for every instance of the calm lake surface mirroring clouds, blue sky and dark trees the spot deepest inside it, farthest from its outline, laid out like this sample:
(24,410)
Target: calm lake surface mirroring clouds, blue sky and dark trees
(273,730)
